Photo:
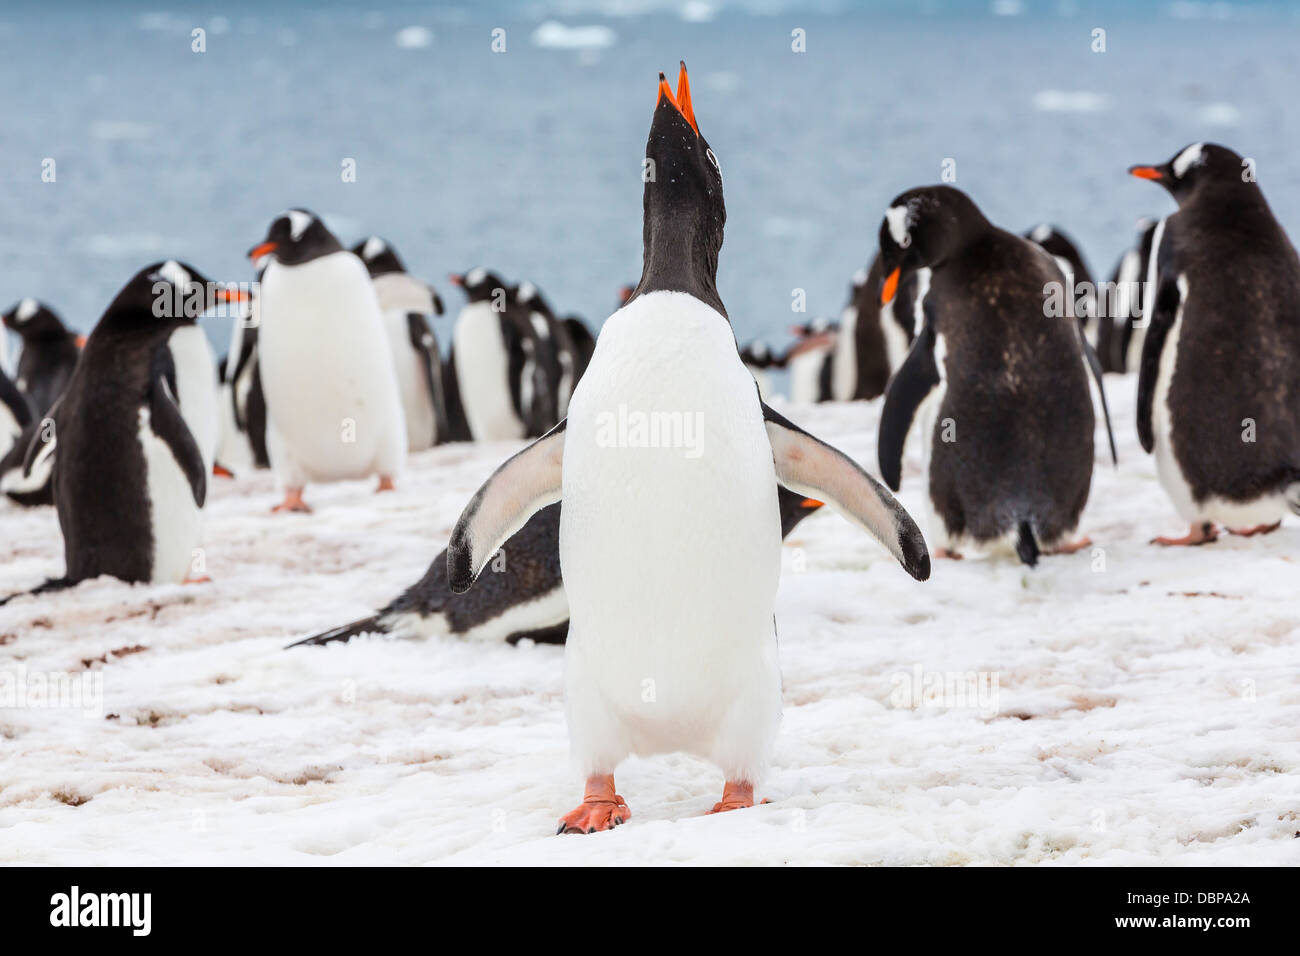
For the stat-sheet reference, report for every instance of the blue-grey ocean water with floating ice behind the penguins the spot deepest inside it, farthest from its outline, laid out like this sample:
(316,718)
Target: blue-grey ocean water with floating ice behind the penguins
(528,161)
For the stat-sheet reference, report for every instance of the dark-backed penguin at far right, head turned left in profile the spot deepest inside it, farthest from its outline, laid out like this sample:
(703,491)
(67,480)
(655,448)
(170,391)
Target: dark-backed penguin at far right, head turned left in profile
(1219,388)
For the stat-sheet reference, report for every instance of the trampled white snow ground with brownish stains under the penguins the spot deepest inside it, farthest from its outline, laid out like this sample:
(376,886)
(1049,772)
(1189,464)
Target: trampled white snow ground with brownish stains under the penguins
(1147,703)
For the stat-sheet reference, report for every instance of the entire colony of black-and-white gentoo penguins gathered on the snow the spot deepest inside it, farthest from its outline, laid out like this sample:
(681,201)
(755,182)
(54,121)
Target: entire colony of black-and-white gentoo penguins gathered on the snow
(644,563)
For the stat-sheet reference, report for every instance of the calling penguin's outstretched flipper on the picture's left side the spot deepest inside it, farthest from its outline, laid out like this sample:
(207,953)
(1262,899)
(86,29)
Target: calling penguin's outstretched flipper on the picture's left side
(523,486)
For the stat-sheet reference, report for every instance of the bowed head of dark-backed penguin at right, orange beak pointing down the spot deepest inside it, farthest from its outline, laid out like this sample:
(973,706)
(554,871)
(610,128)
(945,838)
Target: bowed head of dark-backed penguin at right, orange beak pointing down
(921,230)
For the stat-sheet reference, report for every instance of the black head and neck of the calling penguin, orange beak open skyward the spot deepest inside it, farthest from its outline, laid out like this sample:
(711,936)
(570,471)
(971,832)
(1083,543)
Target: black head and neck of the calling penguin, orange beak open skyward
(684,214)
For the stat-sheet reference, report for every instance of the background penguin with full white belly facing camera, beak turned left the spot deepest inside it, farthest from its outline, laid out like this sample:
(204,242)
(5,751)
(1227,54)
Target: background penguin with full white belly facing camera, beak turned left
(333,410)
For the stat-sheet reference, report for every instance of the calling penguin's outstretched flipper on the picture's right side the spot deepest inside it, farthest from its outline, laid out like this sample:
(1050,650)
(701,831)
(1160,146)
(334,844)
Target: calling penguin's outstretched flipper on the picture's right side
(809,466)
